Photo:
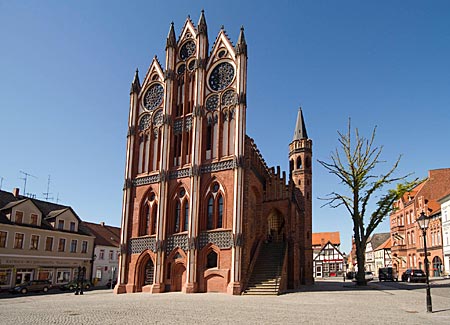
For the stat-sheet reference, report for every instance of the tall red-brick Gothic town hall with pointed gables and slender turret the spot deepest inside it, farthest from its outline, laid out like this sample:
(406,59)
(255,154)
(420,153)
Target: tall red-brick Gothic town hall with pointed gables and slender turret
(202,212)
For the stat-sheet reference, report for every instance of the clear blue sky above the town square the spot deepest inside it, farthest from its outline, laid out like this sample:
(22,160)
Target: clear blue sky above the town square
(66,69)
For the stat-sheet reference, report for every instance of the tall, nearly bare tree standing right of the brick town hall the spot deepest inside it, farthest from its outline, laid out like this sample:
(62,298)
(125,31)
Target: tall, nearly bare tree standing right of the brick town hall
(354,164)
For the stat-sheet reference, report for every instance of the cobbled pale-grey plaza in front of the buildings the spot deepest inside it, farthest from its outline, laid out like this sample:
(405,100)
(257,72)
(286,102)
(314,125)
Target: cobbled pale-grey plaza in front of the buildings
(326,302)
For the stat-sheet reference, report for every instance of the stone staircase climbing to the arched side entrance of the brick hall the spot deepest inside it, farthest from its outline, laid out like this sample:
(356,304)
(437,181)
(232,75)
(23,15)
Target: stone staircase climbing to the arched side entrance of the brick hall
(266,276)
